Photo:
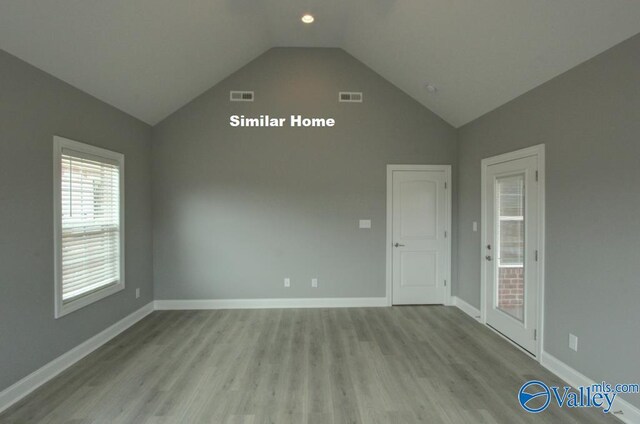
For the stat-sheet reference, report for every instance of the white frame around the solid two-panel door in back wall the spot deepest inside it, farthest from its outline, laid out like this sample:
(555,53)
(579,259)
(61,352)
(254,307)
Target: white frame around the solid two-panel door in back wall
(447,171)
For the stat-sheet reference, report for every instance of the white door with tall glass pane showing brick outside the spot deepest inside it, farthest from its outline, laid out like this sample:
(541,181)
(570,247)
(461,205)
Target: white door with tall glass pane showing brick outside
(511,249)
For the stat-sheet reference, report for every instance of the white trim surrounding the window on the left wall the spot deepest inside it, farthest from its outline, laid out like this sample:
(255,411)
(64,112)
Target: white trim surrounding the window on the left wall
(60,143)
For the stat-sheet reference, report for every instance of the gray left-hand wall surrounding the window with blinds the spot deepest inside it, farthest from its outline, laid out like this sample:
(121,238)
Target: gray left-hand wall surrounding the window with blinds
(33,107)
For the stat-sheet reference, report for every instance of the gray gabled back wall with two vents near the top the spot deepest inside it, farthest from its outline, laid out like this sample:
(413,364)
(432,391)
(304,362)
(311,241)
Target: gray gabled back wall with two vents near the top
(238,209)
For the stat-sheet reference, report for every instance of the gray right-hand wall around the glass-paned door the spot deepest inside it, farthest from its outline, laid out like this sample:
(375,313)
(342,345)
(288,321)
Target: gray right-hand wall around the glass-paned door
(589,119)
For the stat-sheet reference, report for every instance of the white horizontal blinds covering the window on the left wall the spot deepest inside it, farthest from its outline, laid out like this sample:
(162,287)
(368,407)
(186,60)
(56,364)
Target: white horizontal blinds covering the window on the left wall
(90,196)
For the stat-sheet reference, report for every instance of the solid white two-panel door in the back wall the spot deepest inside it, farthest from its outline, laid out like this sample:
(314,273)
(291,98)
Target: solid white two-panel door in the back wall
(420,254)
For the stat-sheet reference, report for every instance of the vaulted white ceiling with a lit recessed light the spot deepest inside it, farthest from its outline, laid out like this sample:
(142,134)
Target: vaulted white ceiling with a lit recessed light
(150,57)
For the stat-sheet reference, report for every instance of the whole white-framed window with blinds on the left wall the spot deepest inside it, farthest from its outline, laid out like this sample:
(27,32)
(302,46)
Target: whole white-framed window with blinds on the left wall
(89,229)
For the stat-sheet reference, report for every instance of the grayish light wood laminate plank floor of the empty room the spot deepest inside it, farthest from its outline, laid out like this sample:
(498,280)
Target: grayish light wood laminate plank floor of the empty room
(429,364)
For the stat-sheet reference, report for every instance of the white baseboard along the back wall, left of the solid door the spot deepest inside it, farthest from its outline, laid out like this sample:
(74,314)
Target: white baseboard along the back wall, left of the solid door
(330,302)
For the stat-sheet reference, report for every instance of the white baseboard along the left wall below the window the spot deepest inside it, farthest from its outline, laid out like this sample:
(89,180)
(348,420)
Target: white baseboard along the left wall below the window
(22,388)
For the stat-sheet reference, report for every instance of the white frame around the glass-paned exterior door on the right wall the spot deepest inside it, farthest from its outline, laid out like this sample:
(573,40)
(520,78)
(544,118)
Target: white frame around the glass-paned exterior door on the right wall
(539,151)
